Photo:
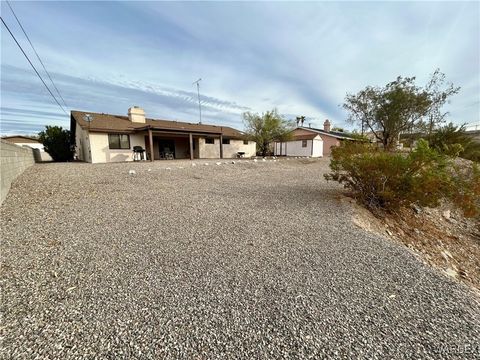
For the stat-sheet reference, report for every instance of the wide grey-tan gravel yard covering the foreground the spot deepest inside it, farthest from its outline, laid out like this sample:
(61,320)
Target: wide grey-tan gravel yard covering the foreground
(232,261)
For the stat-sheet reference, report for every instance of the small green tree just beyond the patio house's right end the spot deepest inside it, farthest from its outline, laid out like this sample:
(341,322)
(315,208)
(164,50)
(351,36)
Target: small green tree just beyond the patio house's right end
(266,128)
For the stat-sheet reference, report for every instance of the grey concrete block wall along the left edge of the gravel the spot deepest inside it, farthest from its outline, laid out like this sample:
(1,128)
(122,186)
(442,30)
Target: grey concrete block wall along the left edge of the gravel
(14,160)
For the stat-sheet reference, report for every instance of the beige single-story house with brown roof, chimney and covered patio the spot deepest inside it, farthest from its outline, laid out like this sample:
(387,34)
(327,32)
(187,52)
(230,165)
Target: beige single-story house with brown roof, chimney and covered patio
(101,138)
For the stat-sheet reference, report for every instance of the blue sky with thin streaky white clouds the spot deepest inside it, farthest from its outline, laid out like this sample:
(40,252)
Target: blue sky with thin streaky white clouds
(301,58)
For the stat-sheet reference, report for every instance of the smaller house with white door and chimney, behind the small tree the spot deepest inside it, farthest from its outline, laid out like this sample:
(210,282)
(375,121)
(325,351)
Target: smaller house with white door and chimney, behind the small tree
(308,141)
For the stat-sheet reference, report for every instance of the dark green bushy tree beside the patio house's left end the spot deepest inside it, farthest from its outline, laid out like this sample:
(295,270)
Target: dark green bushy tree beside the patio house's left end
(56,141)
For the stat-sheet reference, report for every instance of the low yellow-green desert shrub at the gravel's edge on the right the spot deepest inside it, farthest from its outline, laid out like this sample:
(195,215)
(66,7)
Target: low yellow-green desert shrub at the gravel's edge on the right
(389,180)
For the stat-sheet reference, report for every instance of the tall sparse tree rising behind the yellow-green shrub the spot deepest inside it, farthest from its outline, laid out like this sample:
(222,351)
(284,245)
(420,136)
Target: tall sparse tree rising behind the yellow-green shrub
(399,107)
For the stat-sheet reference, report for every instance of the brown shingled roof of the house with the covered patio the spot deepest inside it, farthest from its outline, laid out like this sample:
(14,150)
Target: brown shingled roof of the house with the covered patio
(122,124)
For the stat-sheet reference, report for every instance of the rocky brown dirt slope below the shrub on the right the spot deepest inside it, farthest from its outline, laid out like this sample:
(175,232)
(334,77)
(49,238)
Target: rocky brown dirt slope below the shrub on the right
(441,237)
